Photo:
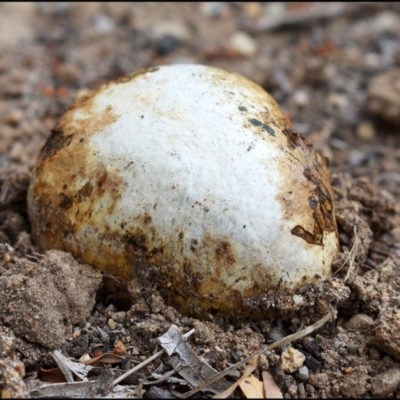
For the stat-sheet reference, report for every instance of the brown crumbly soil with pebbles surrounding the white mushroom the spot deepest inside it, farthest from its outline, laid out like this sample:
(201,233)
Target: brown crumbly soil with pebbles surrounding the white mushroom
(336,74)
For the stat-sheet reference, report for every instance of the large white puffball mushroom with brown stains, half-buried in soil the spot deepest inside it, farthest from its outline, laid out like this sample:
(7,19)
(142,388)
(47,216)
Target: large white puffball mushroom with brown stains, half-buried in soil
(190,177)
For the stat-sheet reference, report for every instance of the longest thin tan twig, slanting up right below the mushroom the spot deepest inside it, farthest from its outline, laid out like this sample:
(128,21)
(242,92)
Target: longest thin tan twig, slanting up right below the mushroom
(281,342)
